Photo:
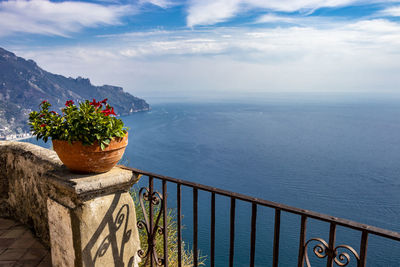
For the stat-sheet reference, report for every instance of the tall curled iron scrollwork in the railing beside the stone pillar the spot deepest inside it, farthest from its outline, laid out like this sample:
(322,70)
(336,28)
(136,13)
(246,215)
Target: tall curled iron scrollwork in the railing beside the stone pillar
(151,229)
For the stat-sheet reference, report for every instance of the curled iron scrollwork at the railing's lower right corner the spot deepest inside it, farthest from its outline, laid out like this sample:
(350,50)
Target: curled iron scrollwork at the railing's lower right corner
(322,250)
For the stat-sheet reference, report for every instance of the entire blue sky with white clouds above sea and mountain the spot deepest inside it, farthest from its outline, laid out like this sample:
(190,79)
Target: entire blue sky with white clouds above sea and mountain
(175,48)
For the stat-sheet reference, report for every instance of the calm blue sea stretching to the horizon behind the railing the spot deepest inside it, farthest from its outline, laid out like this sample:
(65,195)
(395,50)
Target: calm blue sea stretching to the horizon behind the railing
(338,157)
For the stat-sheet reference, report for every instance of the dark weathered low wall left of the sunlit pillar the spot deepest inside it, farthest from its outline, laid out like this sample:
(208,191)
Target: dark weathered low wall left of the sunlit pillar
(23,184)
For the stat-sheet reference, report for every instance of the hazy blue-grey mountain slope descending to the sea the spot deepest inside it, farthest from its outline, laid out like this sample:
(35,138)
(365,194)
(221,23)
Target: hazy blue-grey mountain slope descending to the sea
(24,85)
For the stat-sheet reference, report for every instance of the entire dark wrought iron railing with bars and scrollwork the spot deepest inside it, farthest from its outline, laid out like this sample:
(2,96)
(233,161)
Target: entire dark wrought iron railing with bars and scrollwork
(335,254)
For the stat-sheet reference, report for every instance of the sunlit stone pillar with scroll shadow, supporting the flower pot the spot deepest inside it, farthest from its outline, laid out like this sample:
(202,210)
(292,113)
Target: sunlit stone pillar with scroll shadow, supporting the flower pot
(92,219)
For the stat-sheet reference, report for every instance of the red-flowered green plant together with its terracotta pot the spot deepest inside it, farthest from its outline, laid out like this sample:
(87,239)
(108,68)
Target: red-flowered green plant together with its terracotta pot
(88,138)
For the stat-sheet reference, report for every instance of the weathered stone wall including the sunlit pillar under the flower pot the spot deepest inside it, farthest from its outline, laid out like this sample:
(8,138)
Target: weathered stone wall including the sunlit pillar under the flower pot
(86,219)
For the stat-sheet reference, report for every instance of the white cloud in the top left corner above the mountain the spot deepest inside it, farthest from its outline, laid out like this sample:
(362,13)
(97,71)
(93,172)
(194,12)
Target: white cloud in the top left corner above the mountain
(56,18)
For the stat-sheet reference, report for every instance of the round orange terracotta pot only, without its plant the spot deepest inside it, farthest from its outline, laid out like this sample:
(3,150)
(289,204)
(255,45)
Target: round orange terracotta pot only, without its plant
(90,158)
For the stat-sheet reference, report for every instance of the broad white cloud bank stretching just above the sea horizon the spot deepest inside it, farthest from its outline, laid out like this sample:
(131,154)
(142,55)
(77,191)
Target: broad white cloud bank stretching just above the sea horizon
(363,56)
